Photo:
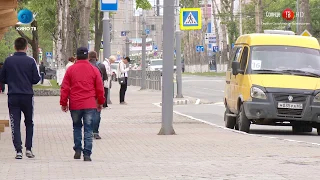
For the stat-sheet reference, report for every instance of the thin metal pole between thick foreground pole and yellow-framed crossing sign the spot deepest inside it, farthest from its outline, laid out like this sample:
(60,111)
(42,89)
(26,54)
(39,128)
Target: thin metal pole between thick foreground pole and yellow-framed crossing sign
(178,53)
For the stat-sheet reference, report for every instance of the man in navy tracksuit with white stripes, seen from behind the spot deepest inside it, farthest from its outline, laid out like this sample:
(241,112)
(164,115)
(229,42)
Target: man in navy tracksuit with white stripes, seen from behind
(20,72)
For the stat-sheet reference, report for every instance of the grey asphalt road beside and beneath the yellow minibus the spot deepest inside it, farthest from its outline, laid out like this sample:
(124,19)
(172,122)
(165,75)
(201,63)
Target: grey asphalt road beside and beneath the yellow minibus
(211,89)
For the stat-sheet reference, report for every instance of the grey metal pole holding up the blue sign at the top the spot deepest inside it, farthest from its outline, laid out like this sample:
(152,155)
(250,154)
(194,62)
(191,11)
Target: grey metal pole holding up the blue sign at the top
(106,41)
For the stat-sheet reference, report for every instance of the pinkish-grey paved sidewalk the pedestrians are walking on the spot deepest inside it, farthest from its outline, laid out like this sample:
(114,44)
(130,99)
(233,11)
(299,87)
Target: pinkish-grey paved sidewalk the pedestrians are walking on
(131,148)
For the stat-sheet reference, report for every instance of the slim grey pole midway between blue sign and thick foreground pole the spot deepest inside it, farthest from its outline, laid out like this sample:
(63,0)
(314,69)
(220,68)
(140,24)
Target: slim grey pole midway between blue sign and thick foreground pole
(144,43)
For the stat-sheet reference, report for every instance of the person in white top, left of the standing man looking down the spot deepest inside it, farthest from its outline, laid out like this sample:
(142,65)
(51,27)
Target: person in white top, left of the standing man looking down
(107,84)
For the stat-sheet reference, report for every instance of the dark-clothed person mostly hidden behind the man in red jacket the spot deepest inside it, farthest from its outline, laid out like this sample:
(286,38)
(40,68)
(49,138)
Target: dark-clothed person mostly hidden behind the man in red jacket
(93,59)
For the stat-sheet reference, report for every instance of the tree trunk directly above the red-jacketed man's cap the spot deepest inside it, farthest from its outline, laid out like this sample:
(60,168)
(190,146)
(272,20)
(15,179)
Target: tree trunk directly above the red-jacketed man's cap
(84,10)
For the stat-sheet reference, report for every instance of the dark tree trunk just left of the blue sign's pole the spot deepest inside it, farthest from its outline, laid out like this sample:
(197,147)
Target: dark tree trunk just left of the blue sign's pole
(98,16)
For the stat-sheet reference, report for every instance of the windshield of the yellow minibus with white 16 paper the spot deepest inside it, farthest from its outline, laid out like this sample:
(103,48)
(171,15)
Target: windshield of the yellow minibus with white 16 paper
(285,58)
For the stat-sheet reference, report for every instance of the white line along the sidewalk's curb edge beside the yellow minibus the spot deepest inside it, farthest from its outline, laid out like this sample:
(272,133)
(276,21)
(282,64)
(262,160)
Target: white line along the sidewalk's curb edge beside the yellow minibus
(239,132)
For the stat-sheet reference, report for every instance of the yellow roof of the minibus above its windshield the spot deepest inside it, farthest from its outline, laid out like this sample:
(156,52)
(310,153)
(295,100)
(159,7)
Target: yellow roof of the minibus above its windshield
(278,39)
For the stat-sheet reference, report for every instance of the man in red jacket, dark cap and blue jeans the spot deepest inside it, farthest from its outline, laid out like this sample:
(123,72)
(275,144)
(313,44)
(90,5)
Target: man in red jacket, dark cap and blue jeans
(82,85)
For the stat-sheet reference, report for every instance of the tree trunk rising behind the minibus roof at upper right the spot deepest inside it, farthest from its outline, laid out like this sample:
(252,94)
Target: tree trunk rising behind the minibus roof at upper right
(305,20)
